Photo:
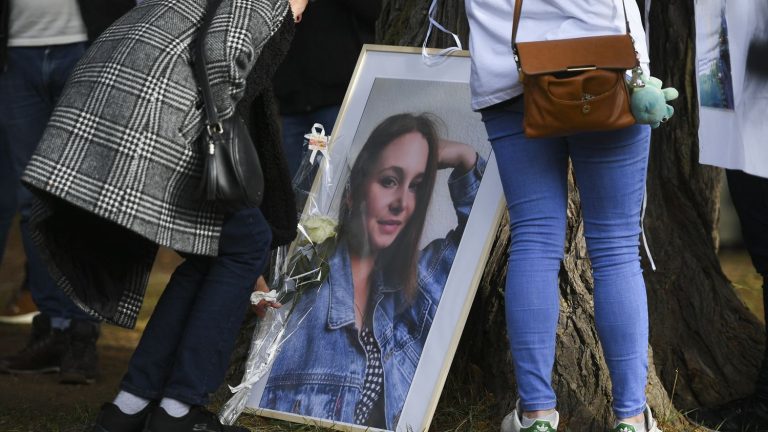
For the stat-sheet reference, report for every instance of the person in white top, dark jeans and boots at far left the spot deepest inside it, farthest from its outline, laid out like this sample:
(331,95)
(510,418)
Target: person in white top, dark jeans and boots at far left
(40,43)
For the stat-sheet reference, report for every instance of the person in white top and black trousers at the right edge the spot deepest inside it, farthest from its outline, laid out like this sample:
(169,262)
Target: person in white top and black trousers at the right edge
(747,178)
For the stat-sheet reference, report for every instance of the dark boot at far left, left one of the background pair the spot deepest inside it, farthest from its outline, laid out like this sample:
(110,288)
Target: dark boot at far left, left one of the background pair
(43,352)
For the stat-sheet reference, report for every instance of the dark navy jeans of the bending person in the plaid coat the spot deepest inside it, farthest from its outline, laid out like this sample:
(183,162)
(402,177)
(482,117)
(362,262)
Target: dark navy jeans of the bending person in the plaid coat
(184,351)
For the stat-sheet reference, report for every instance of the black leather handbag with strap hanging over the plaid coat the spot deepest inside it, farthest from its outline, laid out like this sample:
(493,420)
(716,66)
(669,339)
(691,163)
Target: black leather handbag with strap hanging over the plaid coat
(232,175)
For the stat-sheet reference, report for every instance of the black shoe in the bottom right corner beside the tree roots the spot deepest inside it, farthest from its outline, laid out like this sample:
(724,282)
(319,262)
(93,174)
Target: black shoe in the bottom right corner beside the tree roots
(749,414)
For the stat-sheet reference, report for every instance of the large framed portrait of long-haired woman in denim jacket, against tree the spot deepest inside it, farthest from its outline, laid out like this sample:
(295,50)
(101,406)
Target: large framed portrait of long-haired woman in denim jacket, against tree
(411,179)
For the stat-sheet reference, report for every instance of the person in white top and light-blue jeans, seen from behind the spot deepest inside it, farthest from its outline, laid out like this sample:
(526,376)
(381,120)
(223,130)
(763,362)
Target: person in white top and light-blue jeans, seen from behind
(610,170)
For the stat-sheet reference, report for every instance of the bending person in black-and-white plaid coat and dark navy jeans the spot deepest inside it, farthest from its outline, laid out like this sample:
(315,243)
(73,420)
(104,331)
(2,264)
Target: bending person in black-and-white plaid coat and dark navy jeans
(115,177)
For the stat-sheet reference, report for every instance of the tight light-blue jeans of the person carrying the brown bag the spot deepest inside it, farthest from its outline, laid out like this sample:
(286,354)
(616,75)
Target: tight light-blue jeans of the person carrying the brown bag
(610,170)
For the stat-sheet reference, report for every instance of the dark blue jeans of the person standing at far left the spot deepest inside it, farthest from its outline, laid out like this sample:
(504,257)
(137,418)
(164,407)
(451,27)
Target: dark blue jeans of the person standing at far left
(29,90)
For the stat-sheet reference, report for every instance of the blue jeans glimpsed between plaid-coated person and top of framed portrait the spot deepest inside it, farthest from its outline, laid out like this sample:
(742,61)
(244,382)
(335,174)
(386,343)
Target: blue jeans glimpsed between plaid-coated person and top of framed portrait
(295,126)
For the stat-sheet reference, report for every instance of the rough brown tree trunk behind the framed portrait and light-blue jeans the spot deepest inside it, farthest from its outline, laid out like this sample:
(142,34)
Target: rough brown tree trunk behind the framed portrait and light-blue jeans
(706,345)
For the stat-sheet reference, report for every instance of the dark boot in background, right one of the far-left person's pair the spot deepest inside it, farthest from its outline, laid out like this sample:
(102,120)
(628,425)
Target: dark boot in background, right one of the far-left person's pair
(80,364)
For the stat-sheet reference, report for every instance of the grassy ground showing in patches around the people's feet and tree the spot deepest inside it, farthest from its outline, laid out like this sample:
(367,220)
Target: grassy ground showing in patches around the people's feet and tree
(40,404)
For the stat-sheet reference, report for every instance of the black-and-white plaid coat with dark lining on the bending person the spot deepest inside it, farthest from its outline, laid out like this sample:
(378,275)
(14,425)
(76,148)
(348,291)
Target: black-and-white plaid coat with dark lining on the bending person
(121,145)
